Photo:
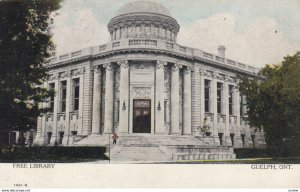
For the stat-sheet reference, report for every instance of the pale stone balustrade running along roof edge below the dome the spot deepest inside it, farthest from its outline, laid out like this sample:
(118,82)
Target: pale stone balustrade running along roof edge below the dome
(154,44)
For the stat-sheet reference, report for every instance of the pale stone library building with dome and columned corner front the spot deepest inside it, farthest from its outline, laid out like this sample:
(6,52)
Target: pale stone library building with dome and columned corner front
(143,83)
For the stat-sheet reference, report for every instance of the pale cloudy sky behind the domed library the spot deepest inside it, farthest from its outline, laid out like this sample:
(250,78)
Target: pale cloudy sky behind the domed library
(254,32)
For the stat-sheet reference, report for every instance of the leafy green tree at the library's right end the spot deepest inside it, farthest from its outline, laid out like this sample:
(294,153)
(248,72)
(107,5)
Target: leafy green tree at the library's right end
(274,105)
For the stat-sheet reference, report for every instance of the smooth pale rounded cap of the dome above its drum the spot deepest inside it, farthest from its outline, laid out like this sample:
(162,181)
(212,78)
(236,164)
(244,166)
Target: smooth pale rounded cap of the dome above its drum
(143,7)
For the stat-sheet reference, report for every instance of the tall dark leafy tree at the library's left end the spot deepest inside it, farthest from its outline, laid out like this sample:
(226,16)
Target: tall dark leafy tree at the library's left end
(25,45)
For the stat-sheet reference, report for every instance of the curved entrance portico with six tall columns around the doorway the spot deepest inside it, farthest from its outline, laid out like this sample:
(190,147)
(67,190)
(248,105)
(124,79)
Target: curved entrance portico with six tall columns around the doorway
(138,90)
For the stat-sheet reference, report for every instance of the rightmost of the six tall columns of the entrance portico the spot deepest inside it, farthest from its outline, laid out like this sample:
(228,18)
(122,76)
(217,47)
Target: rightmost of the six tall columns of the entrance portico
(187,102)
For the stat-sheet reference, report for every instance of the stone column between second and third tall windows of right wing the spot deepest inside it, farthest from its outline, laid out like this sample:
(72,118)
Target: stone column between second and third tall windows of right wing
(225,99)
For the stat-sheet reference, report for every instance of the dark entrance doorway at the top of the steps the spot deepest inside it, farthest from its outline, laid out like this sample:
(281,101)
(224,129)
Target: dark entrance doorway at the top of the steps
(141,116)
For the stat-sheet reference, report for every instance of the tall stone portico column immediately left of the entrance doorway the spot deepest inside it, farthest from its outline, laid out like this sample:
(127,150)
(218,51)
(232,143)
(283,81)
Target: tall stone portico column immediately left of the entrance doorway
(124,97)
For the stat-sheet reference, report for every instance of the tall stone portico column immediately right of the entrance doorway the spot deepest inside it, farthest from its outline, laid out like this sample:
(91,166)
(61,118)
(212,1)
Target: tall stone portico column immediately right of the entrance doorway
(159,97)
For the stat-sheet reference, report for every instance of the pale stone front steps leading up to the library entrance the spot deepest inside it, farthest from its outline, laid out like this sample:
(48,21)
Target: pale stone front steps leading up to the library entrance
(159,148)
